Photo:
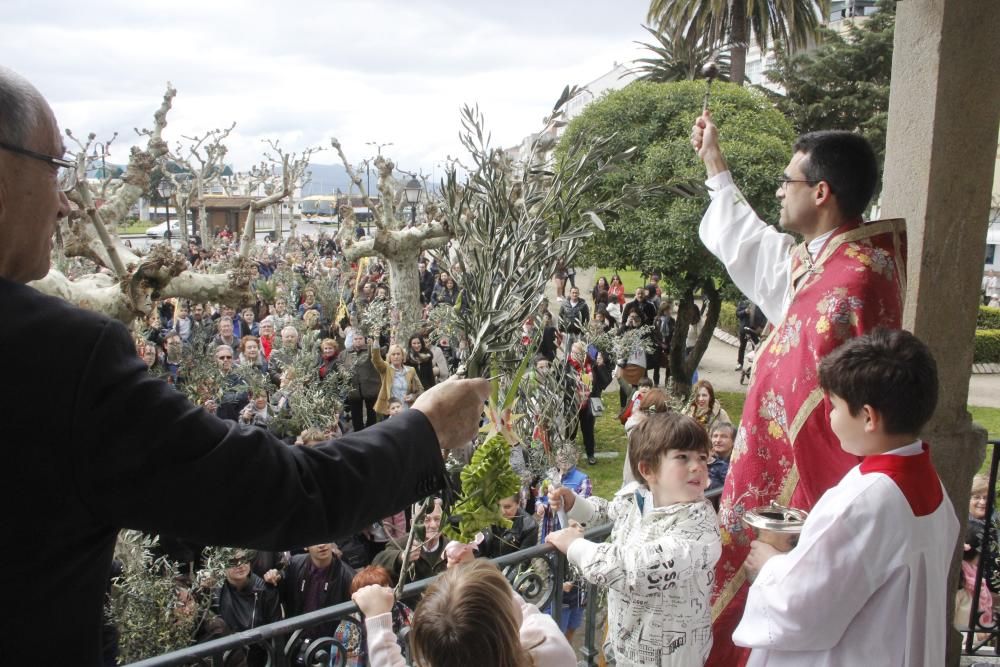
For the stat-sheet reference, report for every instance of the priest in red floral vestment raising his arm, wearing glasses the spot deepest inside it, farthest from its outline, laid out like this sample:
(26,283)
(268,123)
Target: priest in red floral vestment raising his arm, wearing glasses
(843,278)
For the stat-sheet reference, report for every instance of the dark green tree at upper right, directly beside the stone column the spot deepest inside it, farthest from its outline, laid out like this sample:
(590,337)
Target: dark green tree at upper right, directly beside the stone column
(843,84)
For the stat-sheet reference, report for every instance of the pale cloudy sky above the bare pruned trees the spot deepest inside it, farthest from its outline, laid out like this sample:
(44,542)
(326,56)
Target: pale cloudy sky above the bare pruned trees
(301,71)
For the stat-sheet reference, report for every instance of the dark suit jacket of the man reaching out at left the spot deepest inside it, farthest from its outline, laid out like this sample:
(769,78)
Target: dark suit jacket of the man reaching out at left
(93,443)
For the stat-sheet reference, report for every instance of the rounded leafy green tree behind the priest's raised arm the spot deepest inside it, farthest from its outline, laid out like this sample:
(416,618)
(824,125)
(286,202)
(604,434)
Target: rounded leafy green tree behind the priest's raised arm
(659,230)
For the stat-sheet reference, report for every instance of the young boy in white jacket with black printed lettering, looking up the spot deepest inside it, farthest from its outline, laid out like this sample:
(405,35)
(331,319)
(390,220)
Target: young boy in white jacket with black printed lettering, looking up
(659,565)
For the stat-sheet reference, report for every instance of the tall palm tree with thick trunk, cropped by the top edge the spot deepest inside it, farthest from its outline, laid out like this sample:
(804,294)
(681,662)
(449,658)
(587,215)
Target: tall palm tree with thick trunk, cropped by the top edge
(731,21)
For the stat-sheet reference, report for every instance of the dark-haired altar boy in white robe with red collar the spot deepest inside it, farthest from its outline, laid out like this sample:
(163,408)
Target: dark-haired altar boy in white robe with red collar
(867,582)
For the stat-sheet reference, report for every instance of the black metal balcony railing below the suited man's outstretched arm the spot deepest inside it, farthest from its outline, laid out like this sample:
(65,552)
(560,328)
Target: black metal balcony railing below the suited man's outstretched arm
(530,571)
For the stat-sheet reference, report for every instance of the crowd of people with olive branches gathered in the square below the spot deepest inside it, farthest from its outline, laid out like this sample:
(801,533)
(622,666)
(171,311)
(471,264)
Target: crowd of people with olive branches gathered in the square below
(306,332)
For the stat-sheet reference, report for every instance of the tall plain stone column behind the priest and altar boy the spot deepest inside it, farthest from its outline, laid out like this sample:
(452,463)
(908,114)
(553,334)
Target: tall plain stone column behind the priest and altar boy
(944,109)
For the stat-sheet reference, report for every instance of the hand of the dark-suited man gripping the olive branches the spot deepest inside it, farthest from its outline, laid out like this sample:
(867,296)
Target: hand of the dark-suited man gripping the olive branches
(454,409)
